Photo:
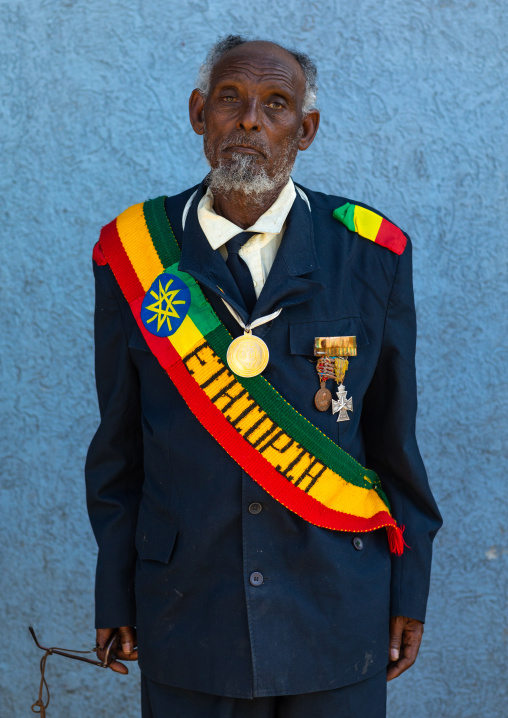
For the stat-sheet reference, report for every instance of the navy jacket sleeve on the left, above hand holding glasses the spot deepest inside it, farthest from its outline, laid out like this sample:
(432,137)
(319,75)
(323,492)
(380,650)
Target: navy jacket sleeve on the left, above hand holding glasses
(114,463)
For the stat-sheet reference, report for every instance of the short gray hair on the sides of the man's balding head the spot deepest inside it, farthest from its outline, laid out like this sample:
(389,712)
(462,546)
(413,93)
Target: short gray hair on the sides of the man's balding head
(225,44)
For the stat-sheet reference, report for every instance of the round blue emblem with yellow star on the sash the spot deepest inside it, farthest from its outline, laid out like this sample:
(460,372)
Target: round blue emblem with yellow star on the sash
(165,305)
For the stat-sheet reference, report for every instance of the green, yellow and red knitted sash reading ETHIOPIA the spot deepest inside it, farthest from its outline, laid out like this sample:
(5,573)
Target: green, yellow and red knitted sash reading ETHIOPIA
(289,457)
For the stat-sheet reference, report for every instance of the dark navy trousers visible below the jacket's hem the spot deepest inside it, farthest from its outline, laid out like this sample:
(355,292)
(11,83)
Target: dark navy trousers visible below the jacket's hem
(366,699)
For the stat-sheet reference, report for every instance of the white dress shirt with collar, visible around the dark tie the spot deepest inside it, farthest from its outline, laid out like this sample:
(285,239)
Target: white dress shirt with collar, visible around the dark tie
(260,250)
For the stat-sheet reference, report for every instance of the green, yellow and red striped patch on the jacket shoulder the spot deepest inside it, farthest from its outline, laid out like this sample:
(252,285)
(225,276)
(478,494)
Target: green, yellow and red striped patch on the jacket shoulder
(372,226)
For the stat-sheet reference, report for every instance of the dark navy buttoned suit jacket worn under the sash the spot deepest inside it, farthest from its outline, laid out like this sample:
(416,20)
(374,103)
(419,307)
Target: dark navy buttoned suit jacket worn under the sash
(169,508)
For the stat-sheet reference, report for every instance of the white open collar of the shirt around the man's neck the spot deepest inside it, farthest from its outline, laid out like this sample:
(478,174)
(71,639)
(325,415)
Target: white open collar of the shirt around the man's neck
(219,230)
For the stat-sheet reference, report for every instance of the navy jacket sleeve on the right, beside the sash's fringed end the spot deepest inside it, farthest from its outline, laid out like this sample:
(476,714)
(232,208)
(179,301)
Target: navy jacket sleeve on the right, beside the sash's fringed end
(388,418)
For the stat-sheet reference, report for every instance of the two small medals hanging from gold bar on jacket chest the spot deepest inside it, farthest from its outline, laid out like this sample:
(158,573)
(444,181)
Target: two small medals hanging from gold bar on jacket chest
(333,364)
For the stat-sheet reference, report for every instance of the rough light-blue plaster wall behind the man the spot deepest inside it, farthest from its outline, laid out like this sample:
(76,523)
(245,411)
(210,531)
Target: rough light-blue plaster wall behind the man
(93,118)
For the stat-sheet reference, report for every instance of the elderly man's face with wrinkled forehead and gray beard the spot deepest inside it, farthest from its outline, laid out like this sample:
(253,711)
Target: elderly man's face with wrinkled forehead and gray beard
(252,116)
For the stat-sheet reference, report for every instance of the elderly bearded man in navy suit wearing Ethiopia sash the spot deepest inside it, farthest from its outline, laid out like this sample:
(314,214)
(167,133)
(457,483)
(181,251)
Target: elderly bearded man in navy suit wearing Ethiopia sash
(249,523)
